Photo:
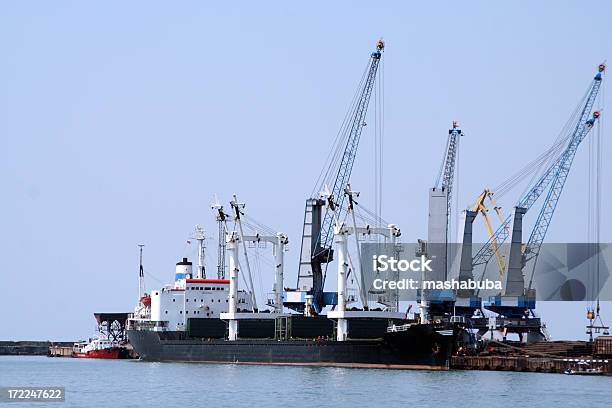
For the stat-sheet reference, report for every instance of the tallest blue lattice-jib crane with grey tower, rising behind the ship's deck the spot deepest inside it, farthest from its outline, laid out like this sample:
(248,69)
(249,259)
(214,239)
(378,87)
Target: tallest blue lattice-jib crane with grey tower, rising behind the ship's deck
(318,235)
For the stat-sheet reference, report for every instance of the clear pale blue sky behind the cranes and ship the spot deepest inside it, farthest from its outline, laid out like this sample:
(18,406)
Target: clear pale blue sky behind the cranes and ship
(120,121)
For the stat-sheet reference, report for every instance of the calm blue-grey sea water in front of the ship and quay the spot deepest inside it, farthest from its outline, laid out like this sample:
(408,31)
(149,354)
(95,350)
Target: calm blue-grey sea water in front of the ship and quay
(120,383)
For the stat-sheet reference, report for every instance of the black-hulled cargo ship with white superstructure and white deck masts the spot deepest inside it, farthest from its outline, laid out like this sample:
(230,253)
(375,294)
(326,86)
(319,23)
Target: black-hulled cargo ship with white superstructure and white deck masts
(210,320)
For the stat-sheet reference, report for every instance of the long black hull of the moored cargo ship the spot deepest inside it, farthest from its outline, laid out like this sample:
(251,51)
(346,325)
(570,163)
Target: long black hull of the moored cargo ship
(417,347)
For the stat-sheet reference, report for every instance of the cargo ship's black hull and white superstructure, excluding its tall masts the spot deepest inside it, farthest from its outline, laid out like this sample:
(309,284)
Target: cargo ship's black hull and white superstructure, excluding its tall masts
(190,322)
